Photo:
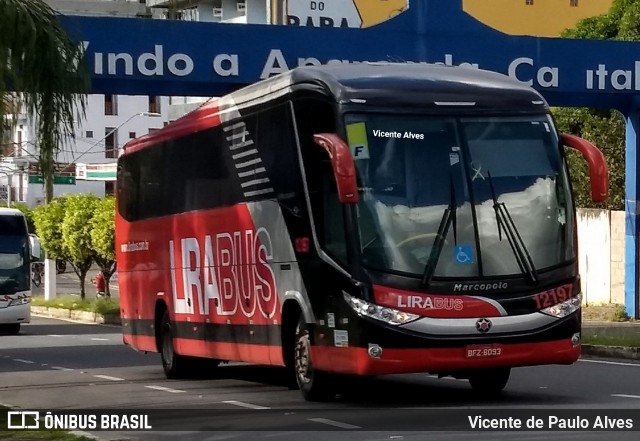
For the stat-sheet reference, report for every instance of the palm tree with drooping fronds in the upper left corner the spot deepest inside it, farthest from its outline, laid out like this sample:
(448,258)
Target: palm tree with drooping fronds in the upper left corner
(41,68)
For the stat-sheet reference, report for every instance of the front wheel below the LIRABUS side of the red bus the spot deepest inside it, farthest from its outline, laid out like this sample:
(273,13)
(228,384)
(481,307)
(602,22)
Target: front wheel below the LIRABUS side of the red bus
(315,385)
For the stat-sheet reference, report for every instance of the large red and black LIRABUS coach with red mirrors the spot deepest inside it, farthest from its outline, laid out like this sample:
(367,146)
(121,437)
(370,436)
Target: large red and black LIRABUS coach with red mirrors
(356,220)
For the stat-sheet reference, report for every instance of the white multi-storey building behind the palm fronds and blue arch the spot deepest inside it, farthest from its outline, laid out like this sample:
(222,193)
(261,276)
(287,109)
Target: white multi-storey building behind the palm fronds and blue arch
(110,122)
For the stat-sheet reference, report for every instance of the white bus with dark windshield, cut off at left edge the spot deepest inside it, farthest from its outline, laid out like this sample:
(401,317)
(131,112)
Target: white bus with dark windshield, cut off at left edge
(16,250)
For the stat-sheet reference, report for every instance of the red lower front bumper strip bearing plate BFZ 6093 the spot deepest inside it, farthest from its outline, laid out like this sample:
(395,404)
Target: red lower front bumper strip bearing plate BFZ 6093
(359,361)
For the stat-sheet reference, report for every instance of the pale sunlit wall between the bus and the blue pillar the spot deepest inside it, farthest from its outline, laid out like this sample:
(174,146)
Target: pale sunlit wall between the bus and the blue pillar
(601,255)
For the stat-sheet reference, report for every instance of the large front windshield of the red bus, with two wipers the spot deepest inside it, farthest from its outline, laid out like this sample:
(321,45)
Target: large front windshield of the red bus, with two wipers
(461,197)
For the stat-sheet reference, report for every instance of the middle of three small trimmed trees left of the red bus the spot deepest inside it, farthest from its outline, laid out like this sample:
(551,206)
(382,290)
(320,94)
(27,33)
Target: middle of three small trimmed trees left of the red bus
(76,234)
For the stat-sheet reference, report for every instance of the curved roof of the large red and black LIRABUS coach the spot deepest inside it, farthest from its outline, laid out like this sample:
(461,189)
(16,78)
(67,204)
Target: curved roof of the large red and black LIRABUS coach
(394,85)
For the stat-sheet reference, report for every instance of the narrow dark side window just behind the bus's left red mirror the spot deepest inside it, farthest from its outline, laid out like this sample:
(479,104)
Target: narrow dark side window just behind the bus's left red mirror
(315,116)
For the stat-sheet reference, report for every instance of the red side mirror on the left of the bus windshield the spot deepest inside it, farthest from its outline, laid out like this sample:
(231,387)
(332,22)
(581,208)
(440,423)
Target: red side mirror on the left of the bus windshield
(343,166)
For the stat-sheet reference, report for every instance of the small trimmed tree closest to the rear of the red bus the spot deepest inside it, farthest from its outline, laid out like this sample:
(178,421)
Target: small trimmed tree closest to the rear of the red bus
(103,238)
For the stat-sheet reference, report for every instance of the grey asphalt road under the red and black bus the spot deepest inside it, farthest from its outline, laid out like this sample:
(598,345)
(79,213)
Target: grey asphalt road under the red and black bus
(58,365)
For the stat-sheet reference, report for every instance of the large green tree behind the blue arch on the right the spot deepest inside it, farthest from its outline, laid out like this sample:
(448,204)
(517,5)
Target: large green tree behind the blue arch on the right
(605,128)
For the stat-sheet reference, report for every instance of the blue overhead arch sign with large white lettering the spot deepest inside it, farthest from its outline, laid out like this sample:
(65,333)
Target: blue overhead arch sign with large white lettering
(162,57)
